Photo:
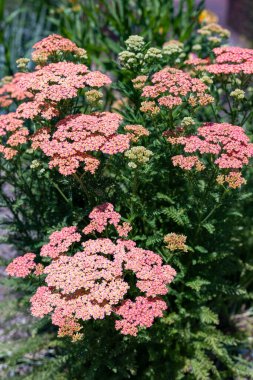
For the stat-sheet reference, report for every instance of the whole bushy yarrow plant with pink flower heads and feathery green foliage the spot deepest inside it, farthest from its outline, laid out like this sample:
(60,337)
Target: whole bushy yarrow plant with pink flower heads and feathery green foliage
(168,142)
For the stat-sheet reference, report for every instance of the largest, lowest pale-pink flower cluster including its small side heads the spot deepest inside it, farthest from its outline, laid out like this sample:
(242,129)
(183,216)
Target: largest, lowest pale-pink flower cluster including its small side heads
(91,283)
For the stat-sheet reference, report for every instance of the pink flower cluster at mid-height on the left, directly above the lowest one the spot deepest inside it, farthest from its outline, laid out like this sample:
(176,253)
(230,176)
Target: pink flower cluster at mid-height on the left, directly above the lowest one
(78,135)
